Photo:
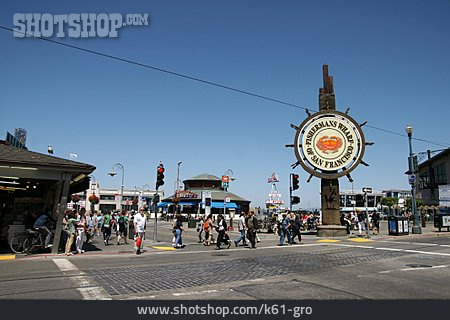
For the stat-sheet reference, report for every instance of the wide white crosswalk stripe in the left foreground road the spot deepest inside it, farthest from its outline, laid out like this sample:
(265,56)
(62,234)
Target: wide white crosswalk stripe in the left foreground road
(83,283)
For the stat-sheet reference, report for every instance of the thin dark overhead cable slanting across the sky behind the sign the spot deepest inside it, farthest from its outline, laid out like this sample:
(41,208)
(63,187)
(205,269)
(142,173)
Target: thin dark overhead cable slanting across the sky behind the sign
(215,84)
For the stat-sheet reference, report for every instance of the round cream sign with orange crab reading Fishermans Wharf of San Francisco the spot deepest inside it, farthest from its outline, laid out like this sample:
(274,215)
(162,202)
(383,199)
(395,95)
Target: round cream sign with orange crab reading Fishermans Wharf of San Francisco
(329,144)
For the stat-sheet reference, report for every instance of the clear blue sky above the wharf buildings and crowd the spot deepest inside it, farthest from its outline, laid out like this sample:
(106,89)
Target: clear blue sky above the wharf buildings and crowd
(389,60)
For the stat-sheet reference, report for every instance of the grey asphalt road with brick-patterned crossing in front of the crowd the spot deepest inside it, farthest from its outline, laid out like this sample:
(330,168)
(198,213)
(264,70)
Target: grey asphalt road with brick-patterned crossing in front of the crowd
(405,267)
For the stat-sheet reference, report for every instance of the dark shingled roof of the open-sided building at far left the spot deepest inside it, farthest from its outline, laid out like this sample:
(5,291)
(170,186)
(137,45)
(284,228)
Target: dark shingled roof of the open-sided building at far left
(16,156)
